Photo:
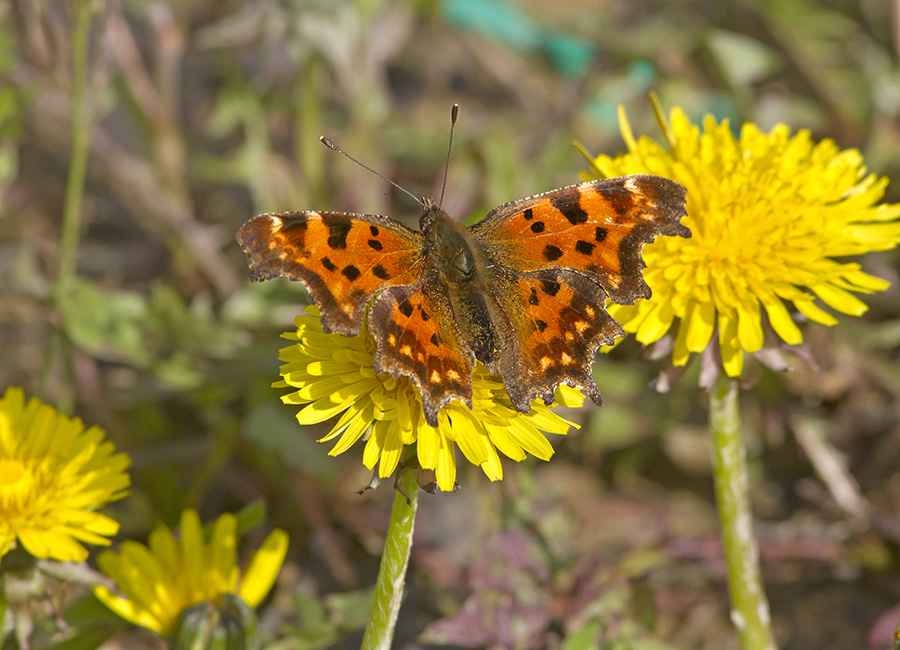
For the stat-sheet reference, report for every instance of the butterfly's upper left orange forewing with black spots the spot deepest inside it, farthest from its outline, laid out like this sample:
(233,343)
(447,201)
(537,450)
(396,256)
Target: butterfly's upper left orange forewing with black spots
(343,259)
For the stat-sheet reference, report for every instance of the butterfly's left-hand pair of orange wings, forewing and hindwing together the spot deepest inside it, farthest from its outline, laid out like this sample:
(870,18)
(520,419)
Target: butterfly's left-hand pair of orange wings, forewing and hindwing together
(347,259)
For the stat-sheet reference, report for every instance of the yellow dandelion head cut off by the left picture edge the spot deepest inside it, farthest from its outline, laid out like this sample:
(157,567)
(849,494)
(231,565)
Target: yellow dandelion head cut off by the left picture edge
(54,475)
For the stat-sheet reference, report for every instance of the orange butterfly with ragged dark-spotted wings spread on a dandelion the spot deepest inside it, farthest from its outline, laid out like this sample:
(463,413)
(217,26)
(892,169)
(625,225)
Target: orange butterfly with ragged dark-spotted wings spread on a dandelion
(523,290)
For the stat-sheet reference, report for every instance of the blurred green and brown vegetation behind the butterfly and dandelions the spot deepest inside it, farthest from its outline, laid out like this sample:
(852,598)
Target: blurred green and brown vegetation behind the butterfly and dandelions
(202,114)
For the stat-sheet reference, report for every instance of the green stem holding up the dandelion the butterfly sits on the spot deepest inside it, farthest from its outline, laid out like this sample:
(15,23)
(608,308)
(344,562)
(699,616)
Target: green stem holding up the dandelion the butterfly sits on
(392,574)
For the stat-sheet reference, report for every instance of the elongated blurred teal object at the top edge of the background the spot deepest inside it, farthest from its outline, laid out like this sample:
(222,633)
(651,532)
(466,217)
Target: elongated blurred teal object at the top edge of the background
(502,22)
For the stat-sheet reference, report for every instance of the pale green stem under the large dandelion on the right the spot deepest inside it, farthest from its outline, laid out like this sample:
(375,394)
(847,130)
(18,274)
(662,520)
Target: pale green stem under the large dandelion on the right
(749,607)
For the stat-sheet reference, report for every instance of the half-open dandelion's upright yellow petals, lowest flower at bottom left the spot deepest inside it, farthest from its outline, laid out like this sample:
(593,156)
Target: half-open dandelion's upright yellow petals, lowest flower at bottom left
(161,581)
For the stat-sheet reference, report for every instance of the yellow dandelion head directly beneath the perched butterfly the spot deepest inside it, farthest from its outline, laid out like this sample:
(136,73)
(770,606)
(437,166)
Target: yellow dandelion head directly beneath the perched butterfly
(334,375)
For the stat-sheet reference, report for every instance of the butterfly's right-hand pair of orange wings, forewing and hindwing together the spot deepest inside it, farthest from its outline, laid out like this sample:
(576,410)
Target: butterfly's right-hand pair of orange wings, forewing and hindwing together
(554,258)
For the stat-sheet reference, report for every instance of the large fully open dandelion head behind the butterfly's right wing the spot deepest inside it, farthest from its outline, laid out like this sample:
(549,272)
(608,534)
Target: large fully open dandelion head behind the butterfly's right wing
(769,212)
